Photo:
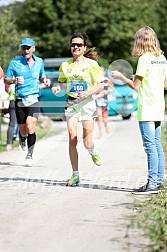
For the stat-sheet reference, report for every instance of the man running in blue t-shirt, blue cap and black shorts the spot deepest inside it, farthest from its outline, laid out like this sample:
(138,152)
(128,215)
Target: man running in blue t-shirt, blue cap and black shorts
(28,75)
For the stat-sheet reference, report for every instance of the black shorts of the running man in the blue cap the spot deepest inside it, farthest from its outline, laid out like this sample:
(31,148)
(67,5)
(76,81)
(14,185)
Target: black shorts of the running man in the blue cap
(22,112)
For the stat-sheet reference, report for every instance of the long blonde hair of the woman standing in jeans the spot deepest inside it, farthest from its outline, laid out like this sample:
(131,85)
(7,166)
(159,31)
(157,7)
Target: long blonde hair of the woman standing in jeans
(146,41)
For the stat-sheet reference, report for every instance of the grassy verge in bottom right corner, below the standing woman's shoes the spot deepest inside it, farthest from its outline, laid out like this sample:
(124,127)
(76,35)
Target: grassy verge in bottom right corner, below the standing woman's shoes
(153,218)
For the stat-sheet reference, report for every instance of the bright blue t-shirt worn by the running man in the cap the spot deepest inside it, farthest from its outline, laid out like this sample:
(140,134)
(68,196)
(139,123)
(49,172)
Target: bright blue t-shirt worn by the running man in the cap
(20,67)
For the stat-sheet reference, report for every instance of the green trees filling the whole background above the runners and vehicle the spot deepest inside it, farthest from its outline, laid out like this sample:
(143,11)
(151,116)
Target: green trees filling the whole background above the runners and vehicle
(110,26)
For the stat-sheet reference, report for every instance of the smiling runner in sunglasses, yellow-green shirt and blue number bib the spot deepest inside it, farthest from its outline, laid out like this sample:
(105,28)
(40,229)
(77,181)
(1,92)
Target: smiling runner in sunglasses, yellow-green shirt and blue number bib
(83,78)
